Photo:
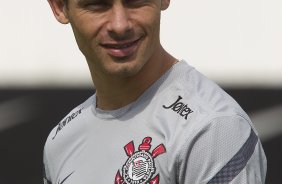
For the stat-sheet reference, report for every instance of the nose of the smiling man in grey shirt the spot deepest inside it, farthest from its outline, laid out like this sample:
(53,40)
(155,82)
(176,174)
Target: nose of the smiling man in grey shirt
(119,25)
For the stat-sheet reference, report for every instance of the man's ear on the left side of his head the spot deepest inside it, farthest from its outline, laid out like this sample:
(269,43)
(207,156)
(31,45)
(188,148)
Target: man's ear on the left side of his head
(59,10)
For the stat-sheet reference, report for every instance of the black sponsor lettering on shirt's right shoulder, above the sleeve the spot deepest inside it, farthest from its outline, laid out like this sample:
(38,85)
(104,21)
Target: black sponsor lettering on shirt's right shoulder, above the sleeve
(180,108)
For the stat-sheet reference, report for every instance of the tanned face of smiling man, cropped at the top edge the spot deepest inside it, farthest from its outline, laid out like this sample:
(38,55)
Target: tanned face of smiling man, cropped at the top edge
(117,37)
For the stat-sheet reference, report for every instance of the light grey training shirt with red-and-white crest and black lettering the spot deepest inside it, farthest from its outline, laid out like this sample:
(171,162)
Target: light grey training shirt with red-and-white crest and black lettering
(183,129)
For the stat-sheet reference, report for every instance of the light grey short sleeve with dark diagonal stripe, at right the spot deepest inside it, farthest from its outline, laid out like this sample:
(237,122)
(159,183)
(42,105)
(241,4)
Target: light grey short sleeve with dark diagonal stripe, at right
(226,150)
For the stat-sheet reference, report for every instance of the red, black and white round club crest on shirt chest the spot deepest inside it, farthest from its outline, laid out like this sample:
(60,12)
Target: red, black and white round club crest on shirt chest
(140,166)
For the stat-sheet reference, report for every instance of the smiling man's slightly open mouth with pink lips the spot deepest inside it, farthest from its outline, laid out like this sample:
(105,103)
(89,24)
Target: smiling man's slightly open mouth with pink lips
(122,49)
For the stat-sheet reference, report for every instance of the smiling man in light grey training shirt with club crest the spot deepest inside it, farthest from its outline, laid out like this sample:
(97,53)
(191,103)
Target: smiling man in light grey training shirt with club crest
(153,119)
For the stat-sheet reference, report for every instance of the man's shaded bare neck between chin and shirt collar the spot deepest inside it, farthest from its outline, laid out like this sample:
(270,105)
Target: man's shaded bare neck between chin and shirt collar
(116,92)
